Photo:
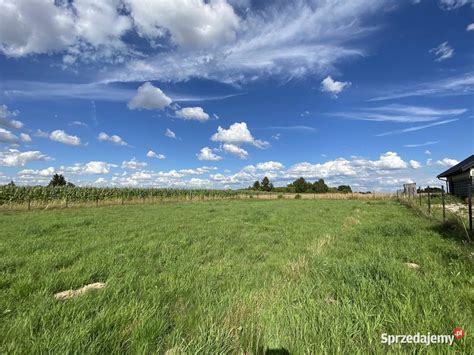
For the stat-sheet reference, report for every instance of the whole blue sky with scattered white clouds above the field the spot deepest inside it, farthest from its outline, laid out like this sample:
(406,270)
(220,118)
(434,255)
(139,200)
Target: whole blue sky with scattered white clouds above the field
(220,93)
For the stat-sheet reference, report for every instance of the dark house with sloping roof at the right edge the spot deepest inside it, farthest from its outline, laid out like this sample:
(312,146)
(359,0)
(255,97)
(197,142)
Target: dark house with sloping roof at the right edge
(459,177)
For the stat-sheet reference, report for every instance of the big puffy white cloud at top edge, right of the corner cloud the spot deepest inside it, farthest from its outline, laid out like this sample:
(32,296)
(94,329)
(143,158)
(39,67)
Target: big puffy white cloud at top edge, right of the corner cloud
(190,23)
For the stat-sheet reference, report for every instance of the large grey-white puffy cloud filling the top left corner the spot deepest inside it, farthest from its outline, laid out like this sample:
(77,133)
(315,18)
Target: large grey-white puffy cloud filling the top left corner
(83,28)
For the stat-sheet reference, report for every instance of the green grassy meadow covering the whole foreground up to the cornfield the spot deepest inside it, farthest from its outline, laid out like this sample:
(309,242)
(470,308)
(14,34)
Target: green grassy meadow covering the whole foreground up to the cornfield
(231,276)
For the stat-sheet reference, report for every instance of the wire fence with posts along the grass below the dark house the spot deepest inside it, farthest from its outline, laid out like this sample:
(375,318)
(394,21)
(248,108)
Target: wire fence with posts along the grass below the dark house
(436,203)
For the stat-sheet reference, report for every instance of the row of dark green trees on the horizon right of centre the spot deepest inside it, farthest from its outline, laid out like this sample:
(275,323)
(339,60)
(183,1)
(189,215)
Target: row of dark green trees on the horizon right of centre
(300,185)
